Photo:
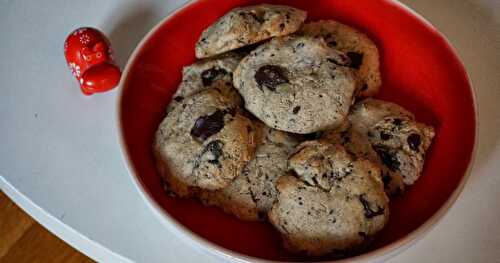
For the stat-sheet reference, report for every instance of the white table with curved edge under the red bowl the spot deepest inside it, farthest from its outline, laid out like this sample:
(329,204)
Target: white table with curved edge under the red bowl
(60,159)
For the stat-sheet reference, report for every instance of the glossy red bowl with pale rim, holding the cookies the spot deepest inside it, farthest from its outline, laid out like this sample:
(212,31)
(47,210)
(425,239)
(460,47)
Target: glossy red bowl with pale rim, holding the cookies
(420,71)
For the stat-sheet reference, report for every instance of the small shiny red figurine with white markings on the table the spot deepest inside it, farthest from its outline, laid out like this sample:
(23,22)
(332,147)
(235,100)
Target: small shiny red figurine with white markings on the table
(90,59)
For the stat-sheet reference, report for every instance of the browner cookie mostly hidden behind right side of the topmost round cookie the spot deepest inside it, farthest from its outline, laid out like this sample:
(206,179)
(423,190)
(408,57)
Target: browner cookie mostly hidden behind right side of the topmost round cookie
(361,50)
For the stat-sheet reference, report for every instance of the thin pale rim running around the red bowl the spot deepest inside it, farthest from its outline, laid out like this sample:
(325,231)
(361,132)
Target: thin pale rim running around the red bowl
(207,247)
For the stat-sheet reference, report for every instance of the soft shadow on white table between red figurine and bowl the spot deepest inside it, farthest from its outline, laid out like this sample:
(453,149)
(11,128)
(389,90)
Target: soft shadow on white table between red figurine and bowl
(127,25)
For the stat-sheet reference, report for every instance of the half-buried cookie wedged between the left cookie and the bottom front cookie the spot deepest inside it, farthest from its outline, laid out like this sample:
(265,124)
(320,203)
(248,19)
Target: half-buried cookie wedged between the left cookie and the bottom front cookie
(252,193)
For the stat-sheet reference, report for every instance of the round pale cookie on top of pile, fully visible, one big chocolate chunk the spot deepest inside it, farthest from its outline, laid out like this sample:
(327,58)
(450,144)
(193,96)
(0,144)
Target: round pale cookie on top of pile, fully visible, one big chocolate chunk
(296,84)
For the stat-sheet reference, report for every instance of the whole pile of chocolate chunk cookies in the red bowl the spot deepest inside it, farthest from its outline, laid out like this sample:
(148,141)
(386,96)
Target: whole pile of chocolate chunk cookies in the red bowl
(274,122)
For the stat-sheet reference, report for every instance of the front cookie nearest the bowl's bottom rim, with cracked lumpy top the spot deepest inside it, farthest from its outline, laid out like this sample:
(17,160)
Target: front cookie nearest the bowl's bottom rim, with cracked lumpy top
(335,204)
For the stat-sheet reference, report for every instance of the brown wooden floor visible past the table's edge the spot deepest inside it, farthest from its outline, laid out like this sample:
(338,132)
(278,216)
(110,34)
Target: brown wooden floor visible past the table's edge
(24,240)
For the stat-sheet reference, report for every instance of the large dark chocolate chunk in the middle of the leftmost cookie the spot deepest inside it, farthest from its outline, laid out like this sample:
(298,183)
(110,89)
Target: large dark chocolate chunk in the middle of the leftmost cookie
(206,126)
